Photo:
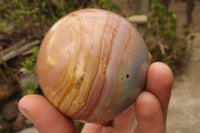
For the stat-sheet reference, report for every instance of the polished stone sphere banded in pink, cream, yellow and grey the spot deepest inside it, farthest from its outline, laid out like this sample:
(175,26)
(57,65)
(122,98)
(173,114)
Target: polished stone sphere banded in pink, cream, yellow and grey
(92,65)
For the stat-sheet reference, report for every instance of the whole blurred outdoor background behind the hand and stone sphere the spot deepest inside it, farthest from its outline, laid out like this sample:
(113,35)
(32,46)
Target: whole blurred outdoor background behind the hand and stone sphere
(170,28)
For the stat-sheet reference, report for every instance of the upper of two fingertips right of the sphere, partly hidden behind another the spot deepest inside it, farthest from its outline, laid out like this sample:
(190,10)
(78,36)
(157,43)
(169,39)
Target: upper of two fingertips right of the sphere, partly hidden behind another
(159,83)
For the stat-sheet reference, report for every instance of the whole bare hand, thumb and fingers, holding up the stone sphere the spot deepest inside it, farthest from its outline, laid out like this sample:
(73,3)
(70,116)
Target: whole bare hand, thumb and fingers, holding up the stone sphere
(150,109)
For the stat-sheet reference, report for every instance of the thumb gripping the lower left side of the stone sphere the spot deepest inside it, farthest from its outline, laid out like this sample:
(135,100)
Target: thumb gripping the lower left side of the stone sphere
(44,116)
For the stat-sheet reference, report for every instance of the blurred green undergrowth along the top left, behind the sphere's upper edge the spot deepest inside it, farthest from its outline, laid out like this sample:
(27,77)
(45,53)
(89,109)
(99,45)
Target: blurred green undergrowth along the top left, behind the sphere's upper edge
(31,18)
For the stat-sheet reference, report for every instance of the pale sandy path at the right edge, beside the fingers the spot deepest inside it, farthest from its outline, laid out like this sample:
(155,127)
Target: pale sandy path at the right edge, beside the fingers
(183,116)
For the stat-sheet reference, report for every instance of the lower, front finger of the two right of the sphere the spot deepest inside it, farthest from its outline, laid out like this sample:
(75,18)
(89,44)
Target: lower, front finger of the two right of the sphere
(149,114)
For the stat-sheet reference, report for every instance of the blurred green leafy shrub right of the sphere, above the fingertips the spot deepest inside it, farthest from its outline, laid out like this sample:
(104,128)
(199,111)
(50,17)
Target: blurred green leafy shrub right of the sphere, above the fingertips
(164,43)
